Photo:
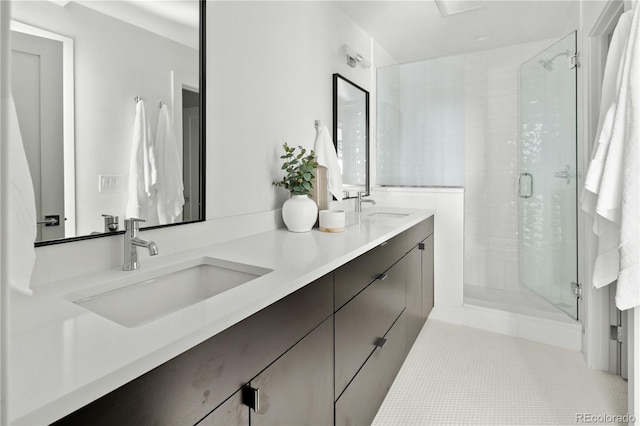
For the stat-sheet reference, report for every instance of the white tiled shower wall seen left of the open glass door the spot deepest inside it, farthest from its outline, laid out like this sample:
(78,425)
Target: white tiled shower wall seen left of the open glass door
(491,165)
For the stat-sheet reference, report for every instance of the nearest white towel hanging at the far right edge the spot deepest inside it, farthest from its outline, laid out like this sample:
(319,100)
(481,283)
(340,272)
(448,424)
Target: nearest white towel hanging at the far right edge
(628,291)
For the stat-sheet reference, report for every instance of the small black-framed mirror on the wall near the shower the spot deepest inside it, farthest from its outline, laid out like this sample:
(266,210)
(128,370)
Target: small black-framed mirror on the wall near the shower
(351,134)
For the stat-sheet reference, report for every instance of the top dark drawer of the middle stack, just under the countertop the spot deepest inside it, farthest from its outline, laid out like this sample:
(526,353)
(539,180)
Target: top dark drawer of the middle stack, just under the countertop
(351,278)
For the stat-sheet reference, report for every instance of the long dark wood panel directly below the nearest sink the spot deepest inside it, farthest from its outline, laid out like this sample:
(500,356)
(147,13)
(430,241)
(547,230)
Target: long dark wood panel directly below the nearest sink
(186,388)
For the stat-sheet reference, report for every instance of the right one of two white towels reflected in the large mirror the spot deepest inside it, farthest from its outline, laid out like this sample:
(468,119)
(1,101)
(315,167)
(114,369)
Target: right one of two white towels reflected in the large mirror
(170,189)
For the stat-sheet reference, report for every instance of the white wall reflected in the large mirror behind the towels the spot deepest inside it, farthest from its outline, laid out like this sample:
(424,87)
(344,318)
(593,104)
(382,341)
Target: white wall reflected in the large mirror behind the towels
(109,72)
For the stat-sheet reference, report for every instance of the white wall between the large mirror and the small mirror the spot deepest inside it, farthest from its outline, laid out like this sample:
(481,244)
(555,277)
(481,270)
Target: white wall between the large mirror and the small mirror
(270,67)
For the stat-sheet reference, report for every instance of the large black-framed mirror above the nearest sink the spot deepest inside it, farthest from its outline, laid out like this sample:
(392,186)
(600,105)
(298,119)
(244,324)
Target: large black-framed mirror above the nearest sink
(107,56)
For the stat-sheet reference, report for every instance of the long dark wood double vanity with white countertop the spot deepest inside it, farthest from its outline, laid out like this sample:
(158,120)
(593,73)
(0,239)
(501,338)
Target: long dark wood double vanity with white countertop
(324,353)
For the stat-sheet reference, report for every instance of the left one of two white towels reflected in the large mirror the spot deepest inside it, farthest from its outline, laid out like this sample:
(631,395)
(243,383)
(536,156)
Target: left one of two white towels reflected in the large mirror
(142,167)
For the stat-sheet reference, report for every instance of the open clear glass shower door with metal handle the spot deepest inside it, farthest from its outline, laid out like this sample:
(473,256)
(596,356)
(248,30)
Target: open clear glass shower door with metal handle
(547,182)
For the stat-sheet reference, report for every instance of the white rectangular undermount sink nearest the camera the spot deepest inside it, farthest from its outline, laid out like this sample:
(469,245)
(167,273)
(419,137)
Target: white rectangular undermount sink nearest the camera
(139,299)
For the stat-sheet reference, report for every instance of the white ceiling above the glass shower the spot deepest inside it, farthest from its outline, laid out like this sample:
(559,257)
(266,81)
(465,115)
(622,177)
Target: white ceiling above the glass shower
(415,30)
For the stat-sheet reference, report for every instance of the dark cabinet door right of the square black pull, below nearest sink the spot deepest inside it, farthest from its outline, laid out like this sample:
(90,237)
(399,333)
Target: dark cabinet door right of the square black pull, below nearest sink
(298,388)
